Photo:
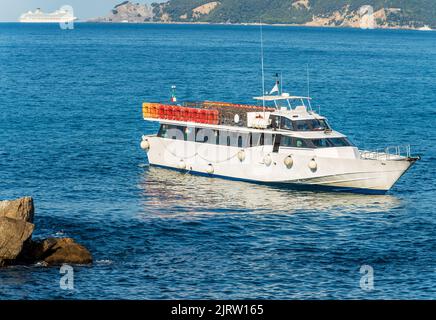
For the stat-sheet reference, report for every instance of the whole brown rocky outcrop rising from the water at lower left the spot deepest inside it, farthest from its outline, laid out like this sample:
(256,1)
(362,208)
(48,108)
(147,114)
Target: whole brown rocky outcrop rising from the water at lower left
(17,247)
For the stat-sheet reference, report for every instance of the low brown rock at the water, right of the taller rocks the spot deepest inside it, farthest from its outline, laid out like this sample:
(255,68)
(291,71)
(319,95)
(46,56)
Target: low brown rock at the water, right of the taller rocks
(55,251)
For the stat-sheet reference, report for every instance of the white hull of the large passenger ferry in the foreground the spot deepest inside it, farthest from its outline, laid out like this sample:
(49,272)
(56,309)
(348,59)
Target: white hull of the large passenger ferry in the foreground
(340,169)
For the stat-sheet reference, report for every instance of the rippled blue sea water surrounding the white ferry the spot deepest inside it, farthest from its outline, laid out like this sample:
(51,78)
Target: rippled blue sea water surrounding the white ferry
(70,127)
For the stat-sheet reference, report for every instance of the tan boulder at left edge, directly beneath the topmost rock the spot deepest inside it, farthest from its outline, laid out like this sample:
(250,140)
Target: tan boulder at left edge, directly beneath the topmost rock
(13,234)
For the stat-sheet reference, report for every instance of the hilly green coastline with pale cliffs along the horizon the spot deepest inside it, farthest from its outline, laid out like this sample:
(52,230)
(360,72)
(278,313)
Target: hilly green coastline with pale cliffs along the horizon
(335,13)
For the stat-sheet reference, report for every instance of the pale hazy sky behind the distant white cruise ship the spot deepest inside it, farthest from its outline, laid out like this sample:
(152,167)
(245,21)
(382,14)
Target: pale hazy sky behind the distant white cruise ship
(10,10)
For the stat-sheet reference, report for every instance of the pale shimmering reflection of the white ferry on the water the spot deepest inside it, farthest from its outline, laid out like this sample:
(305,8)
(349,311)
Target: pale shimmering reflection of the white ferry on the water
(168,193)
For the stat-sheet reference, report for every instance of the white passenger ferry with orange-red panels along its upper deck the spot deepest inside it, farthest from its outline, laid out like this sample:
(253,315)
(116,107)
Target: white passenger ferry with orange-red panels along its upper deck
(280,140)
